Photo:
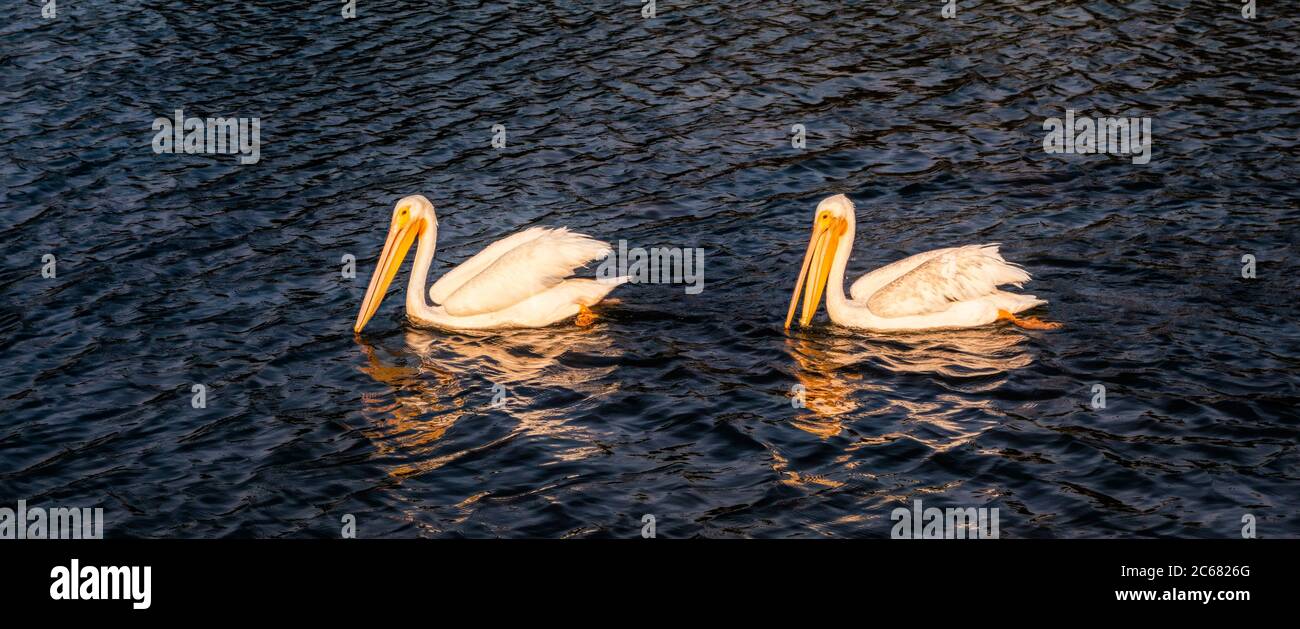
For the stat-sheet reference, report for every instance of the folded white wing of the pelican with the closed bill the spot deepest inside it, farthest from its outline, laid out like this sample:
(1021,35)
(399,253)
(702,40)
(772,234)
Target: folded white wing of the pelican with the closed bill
(531,267)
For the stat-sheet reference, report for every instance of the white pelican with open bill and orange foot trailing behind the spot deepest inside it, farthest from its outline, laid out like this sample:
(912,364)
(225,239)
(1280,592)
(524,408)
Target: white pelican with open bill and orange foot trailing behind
(941,289)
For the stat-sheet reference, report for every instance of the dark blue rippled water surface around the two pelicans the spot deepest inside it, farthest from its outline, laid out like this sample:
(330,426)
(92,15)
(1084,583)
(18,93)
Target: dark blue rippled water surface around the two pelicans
(180,270)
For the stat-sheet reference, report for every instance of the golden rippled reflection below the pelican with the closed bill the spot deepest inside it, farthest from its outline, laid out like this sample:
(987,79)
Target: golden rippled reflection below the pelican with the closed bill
(462,378)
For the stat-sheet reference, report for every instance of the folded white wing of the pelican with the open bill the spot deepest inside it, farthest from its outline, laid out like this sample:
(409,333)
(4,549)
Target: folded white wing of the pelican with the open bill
(956,275)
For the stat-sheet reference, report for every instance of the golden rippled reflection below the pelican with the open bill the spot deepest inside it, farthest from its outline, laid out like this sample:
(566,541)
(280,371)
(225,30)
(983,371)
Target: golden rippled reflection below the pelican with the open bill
(835,372)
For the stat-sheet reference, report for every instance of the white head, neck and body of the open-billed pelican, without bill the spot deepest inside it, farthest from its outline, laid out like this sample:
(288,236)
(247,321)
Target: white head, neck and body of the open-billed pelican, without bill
(941,289)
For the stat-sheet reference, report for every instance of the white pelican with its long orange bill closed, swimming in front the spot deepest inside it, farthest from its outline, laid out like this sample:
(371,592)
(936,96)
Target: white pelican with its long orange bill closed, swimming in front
(522,281)
